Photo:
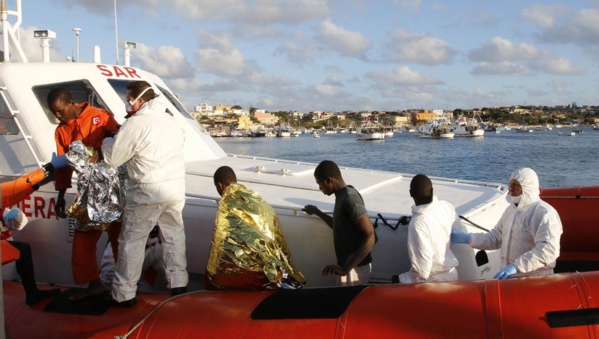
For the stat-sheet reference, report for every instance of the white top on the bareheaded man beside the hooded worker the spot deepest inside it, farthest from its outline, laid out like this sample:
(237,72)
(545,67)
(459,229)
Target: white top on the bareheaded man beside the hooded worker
(428,243)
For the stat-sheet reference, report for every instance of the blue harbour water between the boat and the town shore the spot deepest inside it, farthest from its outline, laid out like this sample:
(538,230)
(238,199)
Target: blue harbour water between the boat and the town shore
(560,161)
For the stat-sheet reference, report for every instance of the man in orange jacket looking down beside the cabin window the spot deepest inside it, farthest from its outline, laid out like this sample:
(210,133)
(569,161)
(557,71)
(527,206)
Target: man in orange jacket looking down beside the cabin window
(90,125)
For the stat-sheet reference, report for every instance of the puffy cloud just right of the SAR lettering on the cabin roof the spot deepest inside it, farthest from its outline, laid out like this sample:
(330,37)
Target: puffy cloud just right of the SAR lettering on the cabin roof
(164,61)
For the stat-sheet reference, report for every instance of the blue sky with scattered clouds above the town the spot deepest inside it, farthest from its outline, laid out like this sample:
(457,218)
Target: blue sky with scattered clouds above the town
(337,55)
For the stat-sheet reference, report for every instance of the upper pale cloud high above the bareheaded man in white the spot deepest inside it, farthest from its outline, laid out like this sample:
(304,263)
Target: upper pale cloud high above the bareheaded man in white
(419,49)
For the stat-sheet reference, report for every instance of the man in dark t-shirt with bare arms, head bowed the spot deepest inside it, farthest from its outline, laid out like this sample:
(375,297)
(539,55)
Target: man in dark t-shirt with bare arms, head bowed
(353,233)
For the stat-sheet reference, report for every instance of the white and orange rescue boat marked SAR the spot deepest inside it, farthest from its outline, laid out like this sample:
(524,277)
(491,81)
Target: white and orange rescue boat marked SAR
(472,307)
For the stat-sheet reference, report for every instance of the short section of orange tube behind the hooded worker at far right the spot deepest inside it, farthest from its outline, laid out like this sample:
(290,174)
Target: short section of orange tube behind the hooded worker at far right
(578,208)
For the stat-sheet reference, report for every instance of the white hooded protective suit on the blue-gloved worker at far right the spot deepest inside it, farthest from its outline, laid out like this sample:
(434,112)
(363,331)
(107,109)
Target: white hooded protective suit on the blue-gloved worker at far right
(528,234)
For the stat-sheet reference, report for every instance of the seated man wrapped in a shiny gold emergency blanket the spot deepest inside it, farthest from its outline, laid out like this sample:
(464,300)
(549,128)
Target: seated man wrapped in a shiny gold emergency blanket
(248,249)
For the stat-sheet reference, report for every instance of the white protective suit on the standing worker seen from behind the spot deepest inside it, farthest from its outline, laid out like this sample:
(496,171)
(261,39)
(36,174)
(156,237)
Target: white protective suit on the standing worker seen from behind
(150,142)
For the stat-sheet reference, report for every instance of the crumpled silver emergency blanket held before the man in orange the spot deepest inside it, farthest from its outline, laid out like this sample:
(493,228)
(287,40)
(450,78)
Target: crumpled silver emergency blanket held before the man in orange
(100,190)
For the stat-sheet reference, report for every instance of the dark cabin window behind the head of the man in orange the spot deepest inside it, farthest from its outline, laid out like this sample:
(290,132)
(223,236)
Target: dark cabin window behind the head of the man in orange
(81,90)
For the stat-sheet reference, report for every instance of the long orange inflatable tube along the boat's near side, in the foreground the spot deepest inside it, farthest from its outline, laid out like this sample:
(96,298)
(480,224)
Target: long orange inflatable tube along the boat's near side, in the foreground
(556,306)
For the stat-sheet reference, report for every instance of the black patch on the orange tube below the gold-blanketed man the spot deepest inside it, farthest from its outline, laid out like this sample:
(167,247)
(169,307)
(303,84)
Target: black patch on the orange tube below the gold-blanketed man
(307,303)
